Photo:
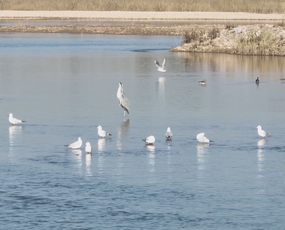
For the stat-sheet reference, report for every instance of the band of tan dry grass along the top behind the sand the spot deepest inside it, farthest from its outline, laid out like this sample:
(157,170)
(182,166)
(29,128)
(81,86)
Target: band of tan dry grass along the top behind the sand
(255,6)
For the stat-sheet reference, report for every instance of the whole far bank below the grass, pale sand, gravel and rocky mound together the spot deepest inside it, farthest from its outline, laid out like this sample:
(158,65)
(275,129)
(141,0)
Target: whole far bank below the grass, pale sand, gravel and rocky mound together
(208,32)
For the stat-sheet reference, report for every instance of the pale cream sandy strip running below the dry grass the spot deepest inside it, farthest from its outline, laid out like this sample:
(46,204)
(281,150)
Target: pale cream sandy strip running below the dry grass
(131,15)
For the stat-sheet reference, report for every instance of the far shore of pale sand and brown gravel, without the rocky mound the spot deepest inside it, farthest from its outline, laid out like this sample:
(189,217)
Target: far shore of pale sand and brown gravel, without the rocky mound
(124,22)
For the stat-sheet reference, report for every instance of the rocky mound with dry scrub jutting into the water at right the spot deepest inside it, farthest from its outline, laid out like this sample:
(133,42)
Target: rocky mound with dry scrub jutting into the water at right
(245,40)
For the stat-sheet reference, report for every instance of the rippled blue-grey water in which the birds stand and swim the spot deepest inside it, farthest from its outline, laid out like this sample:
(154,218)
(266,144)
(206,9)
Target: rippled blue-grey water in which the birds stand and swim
(65,85)
